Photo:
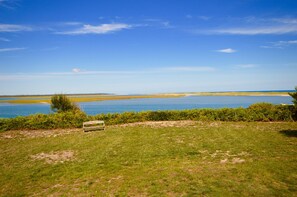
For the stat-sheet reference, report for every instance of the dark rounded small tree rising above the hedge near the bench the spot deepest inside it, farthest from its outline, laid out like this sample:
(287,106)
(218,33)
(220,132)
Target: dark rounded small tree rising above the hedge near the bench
(61,103)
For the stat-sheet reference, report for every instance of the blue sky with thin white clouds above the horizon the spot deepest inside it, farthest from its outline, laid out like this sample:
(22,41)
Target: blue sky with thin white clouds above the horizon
(147,46)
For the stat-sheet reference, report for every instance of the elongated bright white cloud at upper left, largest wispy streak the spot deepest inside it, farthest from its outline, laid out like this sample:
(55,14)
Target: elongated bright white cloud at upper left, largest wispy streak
(100,29)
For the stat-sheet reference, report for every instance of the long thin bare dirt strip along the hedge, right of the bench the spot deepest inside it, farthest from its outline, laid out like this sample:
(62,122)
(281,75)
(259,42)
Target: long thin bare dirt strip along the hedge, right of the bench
(158,124)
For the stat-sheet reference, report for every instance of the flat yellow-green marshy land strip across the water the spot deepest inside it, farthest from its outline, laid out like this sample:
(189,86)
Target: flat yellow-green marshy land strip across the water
(45,99)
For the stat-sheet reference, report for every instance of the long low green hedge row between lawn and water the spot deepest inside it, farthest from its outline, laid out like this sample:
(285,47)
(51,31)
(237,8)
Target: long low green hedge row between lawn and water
(256,112)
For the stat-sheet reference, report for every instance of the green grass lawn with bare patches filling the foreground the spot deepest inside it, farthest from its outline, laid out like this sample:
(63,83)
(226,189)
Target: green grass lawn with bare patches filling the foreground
(172,159)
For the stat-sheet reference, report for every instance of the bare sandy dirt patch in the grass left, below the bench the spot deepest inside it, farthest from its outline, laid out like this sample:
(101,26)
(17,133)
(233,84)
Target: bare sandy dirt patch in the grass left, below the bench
(55,157)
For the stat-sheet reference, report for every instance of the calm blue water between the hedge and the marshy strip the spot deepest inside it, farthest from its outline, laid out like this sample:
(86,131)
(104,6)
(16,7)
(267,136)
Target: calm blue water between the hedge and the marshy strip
(119,106)
